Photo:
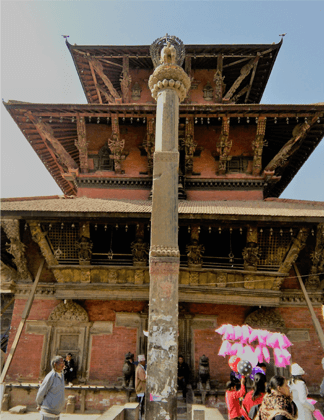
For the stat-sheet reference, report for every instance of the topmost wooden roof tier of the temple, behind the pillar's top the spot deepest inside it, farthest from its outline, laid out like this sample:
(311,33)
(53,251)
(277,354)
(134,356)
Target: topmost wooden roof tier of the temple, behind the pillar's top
(230,59)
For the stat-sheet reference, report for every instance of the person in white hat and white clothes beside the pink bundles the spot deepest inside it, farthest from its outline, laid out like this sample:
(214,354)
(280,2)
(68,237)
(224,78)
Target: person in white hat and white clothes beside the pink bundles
(299,391)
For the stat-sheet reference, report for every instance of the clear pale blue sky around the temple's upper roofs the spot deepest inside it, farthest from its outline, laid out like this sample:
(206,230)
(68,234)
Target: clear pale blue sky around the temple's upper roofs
(36,65)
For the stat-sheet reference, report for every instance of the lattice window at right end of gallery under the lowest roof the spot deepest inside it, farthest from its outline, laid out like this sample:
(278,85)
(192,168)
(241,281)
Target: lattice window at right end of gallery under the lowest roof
(273,245)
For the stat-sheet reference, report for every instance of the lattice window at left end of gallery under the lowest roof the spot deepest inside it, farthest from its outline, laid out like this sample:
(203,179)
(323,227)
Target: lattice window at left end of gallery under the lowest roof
(63,236)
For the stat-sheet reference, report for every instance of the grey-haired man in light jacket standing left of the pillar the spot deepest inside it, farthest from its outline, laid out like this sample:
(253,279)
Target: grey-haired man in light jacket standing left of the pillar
(50,396)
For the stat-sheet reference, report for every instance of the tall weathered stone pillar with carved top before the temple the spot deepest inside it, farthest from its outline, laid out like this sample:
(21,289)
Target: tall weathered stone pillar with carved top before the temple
(169,85)
